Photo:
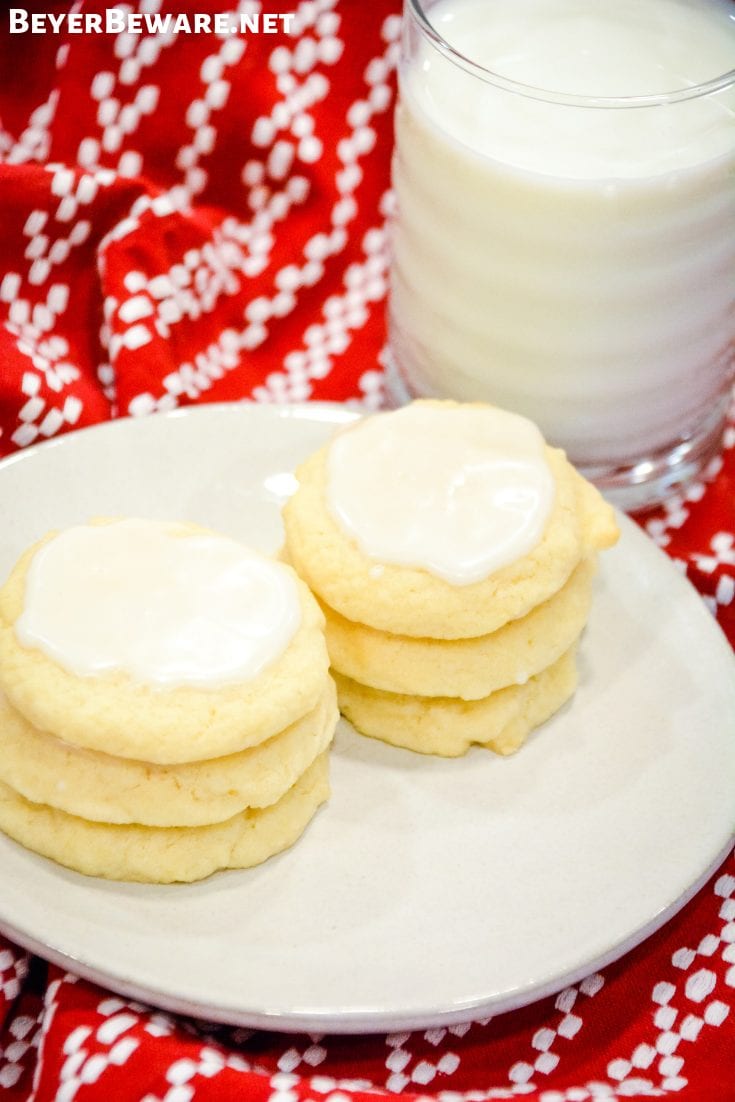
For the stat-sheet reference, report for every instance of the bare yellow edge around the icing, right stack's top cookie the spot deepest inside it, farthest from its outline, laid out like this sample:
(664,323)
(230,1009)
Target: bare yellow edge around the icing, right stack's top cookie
(413,602)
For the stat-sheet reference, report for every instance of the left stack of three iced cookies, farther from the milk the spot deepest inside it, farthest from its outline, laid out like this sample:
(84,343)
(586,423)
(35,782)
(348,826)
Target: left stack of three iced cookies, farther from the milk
(166,706)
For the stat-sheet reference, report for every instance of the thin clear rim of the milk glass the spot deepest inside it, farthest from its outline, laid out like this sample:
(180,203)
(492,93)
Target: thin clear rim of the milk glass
(572,100)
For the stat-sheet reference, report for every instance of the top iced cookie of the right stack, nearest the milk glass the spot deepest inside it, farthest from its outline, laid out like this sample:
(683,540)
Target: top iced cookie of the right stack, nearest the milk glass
(441,521)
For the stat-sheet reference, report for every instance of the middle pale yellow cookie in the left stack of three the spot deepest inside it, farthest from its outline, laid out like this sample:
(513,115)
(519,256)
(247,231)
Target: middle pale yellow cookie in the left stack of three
(95,786)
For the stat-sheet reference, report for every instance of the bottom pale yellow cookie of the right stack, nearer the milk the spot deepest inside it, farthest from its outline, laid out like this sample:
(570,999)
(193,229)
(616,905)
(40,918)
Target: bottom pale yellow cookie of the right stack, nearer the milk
(447,727)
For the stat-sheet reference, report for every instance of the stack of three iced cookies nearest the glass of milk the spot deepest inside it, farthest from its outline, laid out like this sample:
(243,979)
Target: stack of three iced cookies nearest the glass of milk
(453,555)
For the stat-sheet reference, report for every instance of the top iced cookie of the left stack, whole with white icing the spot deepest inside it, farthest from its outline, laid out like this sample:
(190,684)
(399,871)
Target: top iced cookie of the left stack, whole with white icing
(158,642)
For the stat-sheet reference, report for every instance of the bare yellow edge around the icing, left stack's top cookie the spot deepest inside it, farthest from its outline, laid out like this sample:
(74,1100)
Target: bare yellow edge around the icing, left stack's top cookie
(117,716)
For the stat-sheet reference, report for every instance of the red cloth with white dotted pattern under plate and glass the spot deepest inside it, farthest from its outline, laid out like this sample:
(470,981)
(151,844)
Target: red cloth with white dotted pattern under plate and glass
(203,219)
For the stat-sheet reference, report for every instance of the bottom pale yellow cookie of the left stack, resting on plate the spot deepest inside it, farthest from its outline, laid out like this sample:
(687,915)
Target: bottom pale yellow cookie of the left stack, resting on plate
(160,855)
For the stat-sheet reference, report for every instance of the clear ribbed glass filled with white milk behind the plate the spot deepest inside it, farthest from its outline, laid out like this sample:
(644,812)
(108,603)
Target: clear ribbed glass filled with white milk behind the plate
(565,240)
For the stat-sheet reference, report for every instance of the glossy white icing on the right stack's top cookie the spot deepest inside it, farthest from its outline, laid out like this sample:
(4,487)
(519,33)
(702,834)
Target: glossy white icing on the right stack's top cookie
(459,492)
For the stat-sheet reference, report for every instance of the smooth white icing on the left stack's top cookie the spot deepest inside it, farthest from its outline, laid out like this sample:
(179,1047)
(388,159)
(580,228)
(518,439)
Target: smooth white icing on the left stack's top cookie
(166,607)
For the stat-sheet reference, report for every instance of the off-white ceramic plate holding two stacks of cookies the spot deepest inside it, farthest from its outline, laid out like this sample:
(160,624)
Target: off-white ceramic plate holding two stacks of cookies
(427,891)
